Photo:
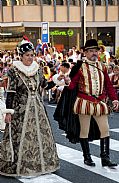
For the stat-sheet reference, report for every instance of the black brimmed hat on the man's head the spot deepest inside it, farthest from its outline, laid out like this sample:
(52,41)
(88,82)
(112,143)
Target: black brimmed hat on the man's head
(90,44)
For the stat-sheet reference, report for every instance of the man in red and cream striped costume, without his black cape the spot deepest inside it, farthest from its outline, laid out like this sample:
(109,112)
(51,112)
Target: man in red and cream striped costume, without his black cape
(93,88)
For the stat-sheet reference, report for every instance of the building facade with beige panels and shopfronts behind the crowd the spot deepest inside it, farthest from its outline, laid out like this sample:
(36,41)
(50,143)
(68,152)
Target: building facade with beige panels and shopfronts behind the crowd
(19,17)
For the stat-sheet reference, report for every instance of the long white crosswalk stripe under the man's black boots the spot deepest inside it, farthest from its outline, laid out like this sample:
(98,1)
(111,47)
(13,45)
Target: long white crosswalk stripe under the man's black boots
(76,157)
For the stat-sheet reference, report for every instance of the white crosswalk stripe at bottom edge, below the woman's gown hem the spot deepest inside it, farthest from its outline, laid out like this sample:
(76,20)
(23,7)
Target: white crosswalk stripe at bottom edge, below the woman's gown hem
(48,178)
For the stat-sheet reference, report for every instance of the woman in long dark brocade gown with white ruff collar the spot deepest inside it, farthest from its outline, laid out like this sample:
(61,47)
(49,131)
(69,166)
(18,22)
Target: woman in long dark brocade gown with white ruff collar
(27,147)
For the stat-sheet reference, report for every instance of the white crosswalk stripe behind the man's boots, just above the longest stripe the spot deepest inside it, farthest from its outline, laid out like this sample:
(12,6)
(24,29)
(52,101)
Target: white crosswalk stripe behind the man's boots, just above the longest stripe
(114,144)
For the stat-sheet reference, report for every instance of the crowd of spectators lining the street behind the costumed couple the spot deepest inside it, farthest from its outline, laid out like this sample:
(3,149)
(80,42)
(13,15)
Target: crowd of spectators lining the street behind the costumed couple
(56,67)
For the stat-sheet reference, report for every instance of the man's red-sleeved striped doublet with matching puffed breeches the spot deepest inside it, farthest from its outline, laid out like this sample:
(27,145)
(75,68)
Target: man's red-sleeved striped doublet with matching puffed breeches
(94,86)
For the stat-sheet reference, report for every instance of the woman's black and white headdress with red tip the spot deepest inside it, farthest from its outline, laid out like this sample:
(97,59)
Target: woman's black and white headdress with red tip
(25,46)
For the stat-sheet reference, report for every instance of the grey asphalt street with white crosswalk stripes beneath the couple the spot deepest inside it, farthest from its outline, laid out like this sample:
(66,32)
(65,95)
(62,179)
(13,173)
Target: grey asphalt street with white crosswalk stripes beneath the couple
(72,169)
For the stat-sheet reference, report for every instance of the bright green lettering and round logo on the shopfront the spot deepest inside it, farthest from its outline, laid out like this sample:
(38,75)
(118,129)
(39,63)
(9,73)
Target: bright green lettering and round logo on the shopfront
(69,32)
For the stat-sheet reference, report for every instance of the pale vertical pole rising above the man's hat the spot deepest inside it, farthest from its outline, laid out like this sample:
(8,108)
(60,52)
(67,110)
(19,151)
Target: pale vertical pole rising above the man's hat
(83,22)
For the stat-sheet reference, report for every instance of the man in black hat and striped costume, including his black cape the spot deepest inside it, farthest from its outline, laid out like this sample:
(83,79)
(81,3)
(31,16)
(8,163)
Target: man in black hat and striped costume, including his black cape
(92,80)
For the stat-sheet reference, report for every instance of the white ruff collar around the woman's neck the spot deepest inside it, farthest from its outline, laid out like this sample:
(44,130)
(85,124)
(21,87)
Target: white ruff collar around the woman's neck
(27,70)
